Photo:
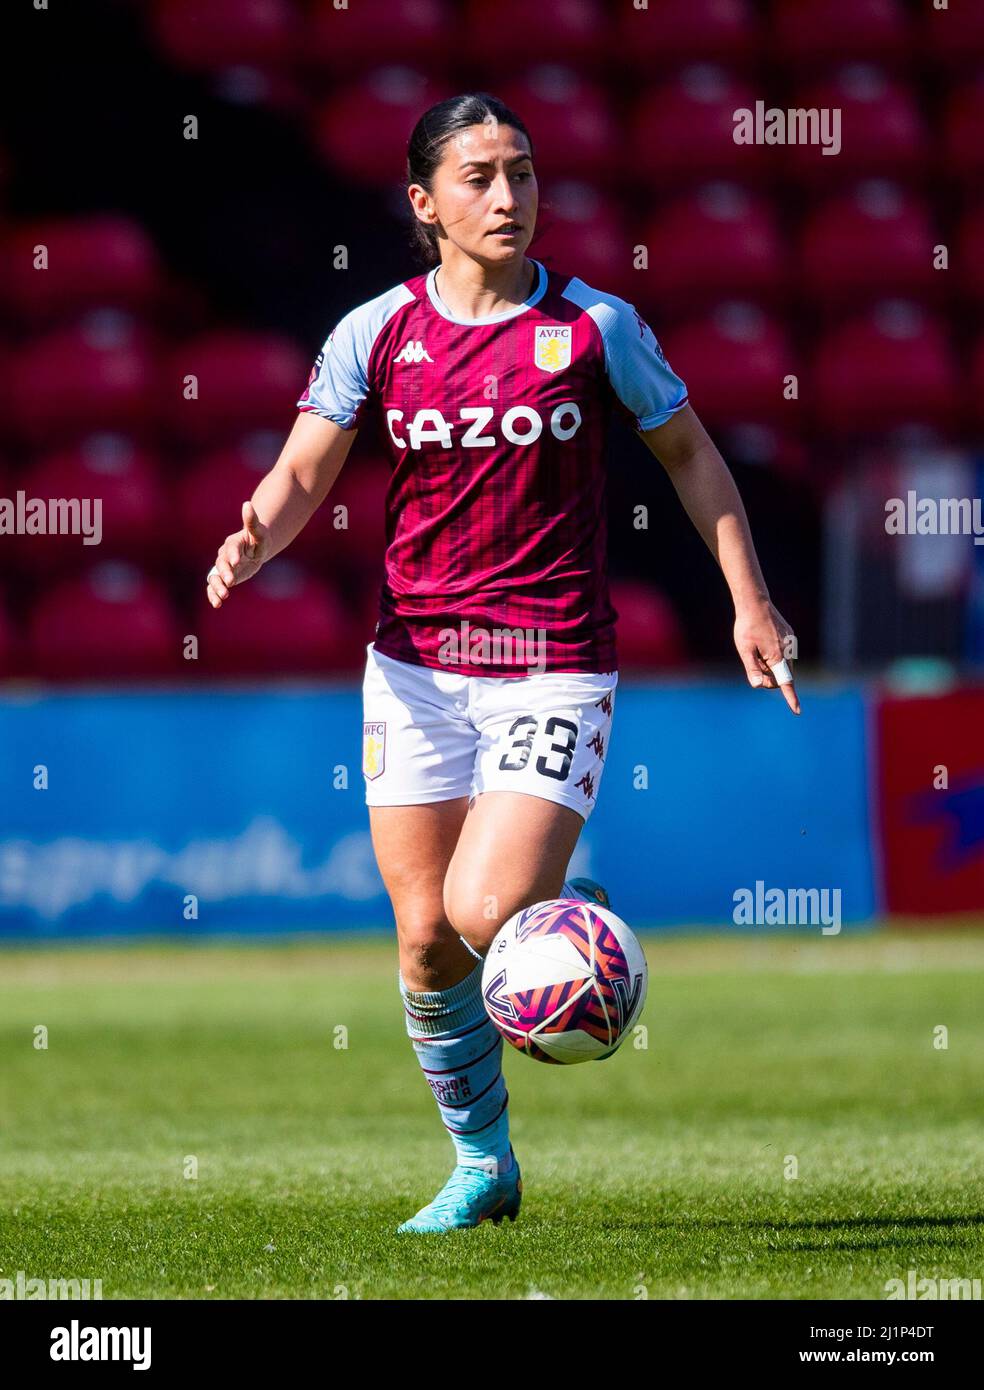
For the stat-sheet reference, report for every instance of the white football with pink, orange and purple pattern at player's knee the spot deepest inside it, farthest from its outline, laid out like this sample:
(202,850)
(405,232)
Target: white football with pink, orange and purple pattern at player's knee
(565,981)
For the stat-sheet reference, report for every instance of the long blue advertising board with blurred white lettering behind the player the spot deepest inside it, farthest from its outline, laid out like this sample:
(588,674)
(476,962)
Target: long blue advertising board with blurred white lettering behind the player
(238,811)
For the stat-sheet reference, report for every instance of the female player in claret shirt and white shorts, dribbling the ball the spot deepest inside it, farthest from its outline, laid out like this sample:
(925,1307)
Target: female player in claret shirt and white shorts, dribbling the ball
(490,686)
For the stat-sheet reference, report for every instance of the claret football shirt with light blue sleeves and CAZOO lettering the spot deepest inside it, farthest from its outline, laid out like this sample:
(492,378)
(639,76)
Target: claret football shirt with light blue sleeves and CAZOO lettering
(495,429)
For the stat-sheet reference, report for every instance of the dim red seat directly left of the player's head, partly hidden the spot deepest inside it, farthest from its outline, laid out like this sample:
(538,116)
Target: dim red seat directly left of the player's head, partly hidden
(363,130)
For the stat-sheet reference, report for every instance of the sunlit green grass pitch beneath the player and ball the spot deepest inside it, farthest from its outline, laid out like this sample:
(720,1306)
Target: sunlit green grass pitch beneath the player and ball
(657,1174)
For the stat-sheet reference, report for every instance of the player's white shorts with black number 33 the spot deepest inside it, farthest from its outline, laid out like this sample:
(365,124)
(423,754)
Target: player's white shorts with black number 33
(432,736)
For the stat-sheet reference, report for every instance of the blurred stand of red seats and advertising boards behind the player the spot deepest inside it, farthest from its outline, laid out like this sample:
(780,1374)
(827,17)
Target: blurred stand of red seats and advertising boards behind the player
(230,772)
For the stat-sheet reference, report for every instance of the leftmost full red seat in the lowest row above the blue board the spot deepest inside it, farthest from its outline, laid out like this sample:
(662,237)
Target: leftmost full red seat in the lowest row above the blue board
(113,622)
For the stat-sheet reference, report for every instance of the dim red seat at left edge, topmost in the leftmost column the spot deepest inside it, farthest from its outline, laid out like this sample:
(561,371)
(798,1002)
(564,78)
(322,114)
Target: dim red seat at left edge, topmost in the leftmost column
(91,262)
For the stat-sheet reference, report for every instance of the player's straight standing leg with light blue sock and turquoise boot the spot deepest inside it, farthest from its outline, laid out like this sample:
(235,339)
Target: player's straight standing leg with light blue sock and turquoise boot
(457,1043)
